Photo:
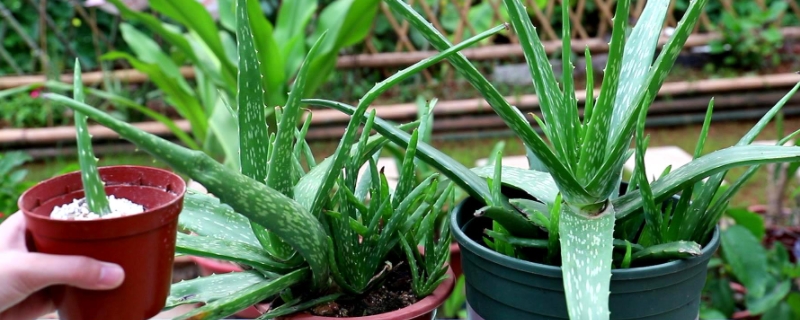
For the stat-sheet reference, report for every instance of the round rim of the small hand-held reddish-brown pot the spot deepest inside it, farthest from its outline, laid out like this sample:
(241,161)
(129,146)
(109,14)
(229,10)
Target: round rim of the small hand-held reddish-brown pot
(28,212)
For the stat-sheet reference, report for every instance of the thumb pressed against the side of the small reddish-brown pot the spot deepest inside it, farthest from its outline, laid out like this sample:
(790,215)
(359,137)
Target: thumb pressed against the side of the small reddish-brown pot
(82,272)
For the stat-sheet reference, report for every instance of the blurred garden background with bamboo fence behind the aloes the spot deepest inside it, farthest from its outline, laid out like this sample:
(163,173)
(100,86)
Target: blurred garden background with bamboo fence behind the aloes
(152,66)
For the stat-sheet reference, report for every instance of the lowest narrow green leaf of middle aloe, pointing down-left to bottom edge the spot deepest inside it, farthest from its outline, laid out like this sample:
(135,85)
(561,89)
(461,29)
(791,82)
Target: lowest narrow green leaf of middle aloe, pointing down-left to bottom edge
(247,297)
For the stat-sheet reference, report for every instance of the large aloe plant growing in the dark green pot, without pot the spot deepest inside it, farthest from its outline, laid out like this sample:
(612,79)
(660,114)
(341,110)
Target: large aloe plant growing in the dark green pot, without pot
(576,178)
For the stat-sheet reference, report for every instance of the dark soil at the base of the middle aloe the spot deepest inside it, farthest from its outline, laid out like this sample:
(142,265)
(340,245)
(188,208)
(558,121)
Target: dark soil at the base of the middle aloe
(393,294)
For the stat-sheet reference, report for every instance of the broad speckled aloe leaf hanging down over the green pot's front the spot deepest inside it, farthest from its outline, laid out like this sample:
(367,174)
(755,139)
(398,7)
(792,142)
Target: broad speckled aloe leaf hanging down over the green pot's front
(586,254)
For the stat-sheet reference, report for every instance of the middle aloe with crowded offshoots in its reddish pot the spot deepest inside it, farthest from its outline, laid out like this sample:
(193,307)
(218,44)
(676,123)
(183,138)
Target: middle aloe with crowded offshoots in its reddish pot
(313,239)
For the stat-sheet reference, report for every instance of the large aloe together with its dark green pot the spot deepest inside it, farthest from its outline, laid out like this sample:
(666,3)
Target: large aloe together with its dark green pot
(542,243)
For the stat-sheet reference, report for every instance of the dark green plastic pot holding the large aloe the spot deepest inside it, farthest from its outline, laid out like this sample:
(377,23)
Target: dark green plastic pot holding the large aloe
(501,287)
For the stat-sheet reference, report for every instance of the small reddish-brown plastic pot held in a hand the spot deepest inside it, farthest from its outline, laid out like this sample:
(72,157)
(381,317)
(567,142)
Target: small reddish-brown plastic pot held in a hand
(142,244)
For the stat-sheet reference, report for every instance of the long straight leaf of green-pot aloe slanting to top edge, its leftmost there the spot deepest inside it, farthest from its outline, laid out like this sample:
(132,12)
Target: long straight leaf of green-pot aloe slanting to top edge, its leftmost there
(571,188)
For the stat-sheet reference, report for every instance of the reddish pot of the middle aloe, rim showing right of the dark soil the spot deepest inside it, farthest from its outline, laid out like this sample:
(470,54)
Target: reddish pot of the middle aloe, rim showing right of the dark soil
(422,310)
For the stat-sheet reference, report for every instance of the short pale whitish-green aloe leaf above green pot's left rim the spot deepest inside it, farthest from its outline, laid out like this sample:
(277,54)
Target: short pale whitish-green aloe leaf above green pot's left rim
(538,184)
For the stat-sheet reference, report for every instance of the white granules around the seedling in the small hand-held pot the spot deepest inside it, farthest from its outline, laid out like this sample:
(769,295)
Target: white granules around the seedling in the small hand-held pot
(79,210)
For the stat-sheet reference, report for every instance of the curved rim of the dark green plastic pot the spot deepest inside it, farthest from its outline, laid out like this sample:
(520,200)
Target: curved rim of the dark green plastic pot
(555,272)
